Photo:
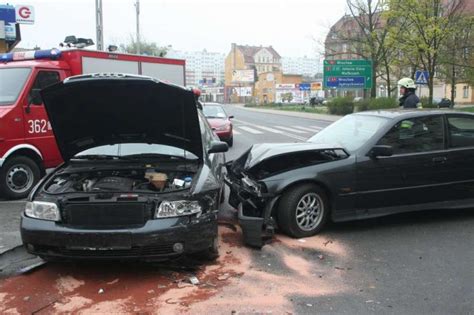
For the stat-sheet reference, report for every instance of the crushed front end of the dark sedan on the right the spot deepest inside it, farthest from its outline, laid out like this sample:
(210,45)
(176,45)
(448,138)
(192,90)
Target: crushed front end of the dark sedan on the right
(258,178)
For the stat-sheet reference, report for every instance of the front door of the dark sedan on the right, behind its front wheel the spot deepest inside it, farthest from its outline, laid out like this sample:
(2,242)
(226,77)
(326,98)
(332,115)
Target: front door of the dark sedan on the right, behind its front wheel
(415,173)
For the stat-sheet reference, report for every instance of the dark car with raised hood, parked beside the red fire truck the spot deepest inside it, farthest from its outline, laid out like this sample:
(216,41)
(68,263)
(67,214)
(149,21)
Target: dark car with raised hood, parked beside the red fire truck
(142,176)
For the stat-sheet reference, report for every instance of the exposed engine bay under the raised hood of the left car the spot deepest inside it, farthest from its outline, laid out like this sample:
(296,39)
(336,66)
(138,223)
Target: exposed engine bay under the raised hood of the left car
(135,180)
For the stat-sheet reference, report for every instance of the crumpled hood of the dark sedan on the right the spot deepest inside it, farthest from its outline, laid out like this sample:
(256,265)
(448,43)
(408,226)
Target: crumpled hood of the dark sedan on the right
(260,152)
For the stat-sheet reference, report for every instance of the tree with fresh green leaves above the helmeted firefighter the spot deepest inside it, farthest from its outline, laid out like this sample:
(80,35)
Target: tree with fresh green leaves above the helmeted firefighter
(428,26)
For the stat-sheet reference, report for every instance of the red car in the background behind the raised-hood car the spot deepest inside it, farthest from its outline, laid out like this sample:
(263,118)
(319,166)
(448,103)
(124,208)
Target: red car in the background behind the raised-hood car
(219,121)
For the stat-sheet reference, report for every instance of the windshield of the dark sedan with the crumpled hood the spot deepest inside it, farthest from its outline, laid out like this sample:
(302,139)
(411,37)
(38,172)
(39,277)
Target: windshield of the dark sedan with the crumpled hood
(350,132)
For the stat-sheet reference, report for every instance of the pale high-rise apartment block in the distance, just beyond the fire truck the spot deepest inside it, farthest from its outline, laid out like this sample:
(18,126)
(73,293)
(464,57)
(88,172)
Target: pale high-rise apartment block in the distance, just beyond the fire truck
(203,68)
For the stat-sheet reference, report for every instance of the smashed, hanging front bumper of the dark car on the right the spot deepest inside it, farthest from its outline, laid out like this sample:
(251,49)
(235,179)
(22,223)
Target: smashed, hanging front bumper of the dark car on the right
(254,209)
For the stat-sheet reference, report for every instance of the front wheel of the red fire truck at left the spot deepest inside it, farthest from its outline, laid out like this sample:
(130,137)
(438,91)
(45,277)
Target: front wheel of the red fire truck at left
(13,174)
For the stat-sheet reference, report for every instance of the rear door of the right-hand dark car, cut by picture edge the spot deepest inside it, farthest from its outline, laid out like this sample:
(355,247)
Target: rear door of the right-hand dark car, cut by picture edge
(460,129)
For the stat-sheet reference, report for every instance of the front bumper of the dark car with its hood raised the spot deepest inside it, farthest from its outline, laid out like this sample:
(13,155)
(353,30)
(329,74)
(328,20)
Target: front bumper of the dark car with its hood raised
(156,240)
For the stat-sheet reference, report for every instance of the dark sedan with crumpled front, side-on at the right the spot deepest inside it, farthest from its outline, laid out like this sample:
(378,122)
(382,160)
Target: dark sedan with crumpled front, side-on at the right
(365,165)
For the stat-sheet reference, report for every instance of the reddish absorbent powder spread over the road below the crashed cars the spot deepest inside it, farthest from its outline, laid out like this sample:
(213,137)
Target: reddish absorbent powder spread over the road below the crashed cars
(242,280)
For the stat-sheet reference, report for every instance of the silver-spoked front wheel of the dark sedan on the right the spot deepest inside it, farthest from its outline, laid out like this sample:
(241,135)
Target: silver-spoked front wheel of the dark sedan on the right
(303,211)
